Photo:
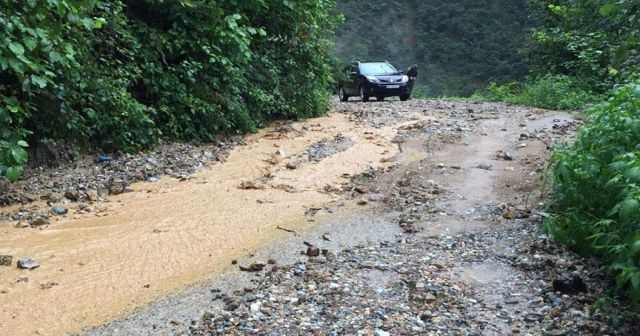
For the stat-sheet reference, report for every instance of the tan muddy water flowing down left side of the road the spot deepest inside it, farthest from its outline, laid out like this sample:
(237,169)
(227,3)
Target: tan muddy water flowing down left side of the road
(164,236)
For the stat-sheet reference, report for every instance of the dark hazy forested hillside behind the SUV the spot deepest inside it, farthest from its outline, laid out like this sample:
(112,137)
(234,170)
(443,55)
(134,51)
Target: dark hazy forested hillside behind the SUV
(460,45)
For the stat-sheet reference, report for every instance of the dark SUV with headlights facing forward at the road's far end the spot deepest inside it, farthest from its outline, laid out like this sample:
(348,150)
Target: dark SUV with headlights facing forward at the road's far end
(375,79)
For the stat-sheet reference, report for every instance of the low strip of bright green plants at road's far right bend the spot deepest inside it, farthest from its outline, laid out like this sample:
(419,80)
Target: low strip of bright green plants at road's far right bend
(549,91)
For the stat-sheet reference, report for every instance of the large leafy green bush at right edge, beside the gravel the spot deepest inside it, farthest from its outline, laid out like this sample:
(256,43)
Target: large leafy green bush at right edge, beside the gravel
(596,189)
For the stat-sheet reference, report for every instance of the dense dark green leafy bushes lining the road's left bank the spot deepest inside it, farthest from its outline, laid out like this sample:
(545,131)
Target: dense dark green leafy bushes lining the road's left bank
(119,75)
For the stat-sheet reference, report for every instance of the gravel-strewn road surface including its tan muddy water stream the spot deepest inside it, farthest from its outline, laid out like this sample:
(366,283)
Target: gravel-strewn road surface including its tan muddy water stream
(382,218)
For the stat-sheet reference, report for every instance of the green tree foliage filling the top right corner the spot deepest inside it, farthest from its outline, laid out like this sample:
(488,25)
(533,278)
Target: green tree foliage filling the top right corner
(595,40)
